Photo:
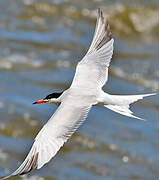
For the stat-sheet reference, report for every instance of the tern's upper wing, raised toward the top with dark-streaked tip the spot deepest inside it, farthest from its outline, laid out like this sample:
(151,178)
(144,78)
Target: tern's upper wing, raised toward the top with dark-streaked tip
(92,70)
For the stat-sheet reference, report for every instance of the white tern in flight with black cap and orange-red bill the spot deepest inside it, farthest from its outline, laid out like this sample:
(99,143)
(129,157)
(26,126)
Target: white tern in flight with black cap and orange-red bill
(75,103)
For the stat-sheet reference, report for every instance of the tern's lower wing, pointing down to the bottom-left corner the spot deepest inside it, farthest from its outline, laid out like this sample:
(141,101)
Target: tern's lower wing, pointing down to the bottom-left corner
(54,134)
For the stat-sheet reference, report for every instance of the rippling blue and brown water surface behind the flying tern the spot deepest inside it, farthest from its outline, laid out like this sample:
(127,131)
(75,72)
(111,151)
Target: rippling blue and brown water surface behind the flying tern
(40,45)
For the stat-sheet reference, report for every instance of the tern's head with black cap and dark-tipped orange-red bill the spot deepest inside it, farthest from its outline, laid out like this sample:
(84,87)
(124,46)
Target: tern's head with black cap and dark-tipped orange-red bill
(50,99)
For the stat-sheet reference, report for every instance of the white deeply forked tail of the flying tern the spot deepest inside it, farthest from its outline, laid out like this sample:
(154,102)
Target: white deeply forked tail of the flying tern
(121,103)
